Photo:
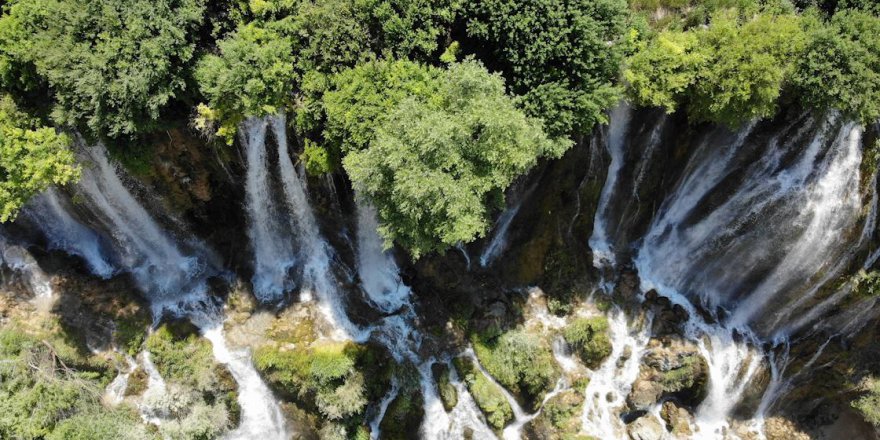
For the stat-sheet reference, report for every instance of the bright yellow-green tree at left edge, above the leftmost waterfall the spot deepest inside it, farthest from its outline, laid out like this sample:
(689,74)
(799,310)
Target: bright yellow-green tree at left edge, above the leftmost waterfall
(32,158)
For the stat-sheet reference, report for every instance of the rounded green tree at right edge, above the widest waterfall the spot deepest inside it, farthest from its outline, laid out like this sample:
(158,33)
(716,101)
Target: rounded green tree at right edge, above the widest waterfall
(840,68)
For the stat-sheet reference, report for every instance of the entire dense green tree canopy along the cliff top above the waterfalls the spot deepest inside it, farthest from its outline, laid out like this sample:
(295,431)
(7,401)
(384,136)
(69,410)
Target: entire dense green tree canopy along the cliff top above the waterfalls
(431,108)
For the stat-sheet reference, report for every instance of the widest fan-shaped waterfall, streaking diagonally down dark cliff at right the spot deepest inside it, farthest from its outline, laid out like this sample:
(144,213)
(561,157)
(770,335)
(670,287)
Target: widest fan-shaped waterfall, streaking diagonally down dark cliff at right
(806,205)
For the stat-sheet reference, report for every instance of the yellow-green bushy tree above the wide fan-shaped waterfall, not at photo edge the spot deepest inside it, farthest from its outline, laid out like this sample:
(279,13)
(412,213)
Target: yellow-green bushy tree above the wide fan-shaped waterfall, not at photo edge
(730,72)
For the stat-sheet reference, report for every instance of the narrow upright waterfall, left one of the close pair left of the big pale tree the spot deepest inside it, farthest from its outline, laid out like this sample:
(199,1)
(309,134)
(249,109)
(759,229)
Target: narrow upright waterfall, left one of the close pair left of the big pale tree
(271,242)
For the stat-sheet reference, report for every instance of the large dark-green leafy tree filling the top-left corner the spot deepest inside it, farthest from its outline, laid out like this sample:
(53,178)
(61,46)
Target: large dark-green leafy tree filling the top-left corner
(112,66)
